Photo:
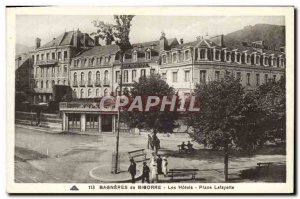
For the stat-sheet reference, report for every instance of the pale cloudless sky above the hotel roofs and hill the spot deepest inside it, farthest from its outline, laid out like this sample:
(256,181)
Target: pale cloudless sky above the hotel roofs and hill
(144,28)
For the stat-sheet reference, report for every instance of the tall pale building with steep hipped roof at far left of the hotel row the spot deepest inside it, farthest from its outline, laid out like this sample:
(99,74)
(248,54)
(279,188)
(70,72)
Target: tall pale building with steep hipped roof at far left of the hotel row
(51,62)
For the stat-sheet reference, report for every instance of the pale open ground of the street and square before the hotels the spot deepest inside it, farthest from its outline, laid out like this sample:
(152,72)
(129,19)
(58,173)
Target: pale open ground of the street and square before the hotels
(49,157)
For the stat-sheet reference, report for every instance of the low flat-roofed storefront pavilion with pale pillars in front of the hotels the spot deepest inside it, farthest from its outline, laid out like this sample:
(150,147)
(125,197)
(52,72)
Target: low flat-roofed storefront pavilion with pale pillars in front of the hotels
(80,117)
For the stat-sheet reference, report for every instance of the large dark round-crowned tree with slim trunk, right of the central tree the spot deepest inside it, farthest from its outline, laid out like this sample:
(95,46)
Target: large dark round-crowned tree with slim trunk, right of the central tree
(229,118)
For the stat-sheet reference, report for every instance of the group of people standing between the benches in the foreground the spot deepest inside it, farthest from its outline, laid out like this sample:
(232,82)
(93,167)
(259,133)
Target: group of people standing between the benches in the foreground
(158,165)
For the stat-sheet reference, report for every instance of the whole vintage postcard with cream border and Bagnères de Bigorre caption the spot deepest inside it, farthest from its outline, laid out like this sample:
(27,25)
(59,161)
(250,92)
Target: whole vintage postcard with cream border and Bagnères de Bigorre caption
(150,100)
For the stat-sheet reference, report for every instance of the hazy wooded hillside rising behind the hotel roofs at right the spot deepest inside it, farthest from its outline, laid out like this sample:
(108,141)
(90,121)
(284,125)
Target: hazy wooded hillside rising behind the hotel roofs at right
(273,35)
